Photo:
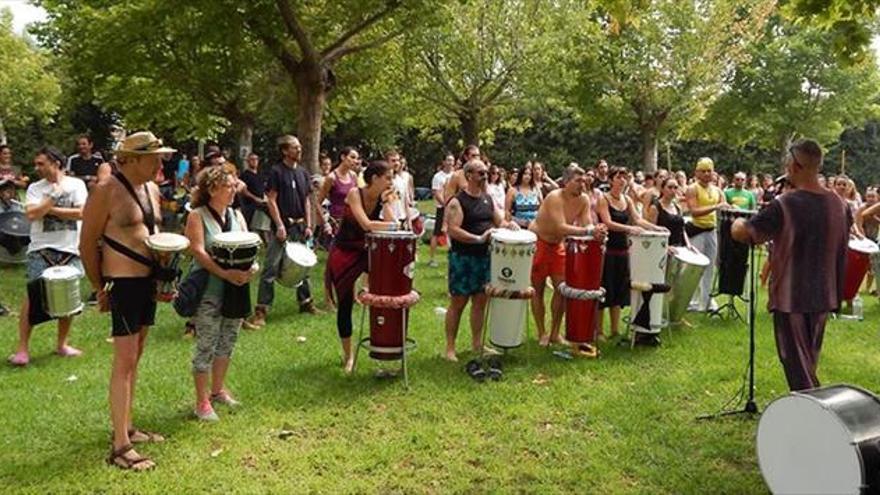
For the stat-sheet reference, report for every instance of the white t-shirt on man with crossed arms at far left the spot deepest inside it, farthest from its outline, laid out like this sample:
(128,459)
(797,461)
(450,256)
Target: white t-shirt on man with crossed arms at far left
(51,231)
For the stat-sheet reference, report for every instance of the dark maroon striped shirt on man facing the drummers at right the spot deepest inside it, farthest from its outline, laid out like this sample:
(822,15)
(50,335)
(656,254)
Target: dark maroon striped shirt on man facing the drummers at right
(810,232)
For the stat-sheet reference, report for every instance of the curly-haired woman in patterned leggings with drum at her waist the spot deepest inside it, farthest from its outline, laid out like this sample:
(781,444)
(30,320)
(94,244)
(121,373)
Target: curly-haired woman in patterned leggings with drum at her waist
(216,332)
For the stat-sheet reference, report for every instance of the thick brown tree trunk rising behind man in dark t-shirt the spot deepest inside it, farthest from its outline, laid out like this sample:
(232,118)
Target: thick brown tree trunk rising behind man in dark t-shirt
(312,95)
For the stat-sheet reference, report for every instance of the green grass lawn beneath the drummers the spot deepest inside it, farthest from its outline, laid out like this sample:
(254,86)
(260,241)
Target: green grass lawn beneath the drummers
(622,424)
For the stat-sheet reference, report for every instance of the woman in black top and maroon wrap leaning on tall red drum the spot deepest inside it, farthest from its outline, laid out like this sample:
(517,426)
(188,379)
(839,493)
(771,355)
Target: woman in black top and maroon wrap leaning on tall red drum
(364,207)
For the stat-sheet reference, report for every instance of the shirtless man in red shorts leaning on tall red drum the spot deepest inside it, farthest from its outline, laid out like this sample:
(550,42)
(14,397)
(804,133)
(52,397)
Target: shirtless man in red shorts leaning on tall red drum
(564,212)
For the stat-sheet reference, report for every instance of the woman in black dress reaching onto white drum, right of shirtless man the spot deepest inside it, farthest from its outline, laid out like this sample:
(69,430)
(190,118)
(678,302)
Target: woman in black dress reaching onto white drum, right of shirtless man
(620,216)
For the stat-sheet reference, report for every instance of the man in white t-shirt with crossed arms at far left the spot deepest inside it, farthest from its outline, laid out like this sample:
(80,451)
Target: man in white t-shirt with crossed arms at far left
(54,207)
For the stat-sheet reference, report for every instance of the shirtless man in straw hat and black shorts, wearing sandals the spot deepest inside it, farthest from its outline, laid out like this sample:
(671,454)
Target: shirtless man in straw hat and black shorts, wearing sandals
(122,212)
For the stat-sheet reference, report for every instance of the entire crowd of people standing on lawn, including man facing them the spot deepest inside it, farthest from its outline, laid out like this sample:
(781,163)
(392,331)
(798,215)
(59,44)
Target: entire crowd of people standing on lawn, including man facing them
(96,215)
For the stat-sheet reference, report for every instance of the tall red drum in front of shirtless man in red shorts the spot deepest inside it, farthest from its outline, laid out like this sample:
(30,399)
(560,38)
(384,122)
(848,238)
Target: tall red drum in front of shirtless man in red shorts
(583,271)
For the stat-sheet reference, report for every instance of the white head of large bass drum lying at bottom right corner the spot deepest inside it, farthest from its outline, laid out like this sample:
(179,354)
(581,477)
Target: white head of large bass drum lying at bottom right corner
(804,448)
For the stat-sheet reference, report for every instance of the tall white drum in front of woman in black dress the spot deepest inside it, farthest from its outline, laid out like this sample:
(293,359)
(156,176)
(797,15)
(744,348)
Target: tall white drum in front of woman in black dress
(647,265)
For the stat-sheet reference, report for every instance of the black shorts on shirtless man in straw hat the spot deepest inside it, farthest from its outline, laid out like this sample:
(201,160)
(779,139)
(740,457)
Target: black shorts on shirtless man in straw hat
(132,304)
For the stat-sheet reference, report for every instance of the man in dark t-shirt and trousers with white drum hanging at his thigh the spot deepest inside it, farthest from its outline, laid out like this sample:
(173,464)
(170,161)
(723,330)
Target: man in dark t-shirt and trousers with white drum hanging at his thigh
(288,195)
